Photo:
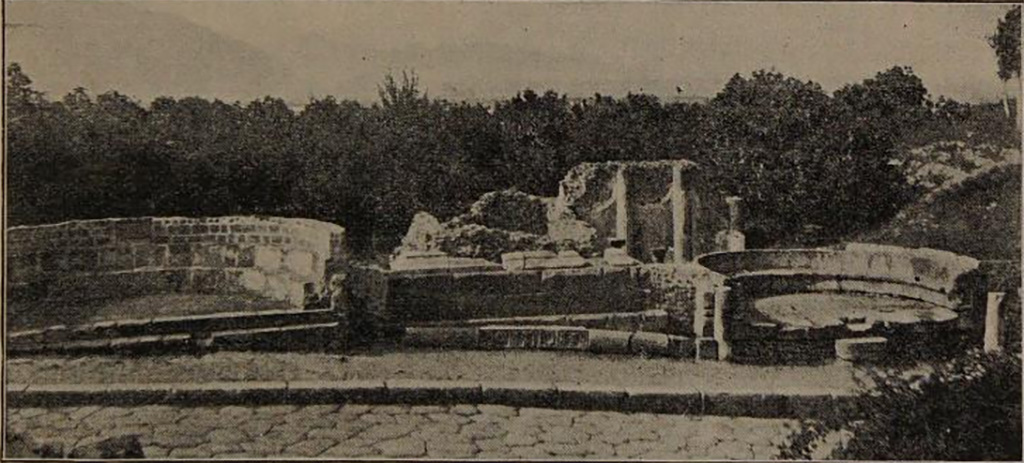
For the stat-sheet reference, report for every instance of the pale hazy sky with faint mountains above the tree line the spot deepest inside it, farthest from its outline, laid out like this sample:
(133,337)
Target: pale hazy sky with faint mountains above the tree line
(482,52)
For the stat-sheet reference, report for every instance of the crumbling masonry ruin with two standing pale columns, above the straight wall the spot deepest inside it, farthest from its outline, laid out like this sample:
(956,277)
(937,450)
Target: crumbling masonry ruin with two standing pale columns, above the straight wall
(626,213)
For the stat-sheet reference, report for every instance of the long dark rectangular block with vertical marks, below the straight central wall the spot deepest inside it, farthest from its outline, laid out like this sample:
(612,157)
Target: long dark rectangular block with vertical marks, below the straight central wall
(533,338)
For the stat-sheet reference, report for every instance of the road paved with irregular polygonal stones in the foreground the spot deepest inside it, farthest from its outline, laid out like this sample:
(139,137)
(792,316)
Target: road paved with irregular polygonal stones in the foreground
(396,432)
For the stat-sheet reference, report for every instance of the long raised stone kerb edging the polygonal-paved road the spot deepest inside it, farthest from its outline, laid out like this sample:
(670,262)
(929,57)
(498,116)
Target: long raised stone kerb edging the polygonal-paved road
(406,392)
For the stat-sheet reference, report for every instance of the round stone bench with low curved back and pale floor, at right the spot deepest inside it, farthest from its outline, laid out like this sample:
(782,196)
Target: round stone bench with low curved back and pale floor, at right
(923,289)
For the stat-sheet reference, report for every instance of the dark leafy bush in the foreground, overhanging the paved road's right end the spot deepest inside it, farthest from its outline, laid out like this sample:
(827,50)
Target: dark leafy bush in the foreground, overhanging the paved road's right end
(968,409)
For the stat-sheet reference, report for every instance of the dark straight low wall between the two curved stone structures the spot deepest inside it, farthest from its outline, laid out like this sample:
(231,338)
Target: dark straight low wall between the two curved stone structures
(418,297)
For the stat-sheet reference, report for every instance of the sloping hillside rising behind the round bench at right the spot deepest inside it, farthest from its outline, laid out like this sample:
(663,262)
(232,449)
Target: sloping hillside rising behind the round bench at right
(979,217)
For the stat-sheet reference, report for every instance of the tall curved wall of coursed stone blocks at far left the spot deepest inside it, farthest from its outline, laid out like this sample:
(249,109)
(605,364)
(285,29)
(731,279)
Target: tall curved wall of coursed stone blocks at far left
(270,258)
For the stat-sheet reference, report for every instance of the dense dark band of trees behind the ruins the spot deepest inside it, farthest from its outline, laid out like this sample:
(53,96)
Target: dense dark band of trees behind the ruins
(806,161)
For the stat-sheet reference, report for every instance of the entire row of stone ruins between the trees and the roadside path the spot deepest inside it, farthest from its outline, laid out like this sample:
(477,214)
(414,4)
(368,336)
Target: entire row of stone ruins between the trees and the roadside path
(630,258)
